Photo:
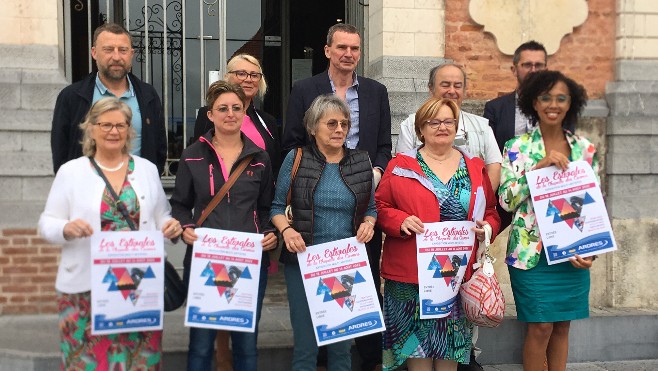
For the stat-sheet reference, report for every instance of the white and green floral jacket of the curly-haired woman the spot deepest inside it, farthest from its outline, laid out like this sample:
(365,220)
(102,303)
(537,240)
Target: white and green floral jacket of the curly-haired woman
(522,154)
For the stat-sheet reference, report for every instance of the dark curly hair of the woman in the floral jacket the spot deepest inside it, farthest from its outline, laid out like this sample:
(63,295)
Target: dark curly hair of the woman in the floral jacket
(541,82)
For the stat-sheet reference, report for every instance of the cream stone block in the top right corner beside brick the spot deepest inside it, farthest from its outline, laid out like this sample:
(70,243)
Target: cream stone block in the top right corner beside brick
(637,29)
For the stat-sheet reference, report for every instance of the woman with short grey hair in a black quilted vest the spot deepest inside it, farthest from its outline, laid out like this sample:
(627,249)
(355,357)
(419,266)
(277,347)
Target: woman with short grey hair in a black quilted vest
(331,199)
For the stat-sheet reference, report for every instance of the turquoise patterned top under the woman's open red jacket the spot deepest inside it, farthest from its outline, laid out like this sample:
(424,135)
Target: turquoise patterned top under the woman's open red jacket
(455,196)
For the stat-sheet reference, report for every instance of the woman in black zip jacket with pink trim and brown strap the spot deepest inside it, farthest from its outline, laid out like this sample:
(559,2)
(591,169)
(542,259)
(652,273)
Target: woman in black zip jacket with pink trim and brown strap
(204,168)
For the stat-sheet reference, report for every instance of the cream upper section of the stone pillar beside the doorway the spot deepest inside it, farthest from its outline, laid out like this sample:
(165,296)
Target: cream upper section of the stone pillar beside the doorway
(406,28)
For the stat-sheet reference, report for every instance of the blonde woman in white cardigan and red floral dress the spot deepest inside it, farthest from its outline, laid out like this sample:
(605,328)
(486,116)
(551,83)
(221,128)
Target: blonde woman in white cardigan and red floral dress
(80,204)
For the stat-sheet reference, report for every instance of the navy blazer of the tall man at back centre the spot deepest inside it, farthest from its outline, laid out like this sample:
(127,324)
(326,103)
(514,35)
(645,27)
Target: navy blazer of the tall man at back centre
(374,116)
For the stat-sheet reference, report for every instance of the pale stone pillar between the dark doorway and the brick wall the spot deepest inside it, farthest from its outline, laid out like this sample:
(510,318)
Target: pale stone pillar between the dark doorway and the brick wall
(405,40)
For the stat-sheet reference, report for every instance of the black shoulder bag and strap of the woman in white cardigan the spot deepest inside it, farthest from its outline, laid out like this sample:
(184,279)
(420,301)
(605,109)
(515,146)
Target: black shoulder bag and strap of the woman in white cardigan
(175,293)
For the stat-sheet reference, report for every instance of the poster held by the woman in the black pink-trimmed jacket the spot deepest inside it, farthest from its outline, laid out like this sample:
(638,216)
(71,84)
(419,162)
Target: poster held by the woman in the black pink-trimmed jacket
(224,276)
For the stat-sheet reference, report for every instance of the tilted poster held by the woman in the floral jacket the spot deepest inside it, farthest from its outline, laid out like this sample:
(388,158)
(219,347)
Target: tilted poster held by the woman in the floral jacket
(570,212)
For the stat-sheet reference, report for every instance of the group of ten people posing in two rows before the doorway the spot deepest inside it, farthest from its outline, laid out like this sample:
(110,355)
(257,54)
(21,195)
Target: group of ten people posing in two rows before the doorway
(346,184)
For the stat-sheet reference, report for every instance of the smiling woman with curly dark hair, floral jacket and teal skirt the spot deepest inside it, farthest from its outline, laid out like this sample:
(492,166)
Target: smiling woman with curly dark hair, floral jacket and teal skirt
(547,297)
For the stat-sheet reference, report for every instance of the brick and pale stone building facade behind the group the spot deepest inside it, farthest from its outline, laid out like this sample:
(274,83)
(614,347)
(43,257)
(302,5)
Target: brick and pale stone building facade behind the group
(405,39)
